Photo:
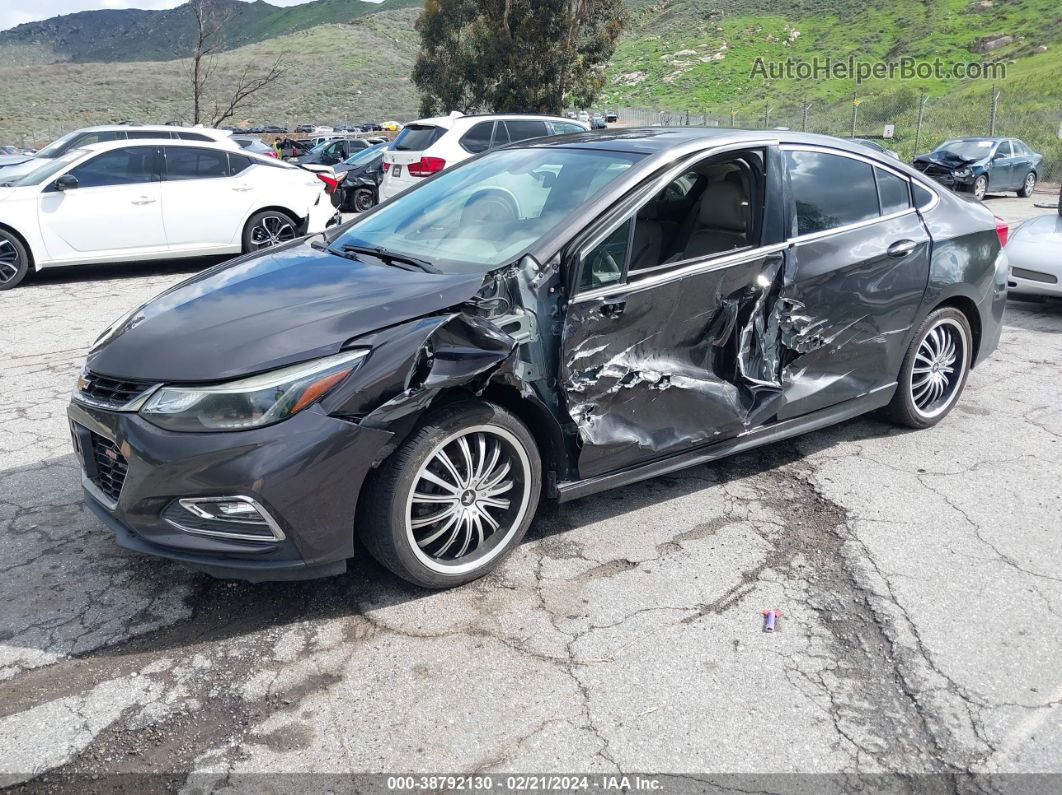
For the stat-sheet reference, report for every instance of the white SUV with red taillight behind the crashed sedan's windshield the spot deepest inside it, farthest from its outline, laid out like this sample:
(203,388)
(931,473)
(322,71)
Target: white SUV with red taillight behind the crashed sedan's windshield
(425,148)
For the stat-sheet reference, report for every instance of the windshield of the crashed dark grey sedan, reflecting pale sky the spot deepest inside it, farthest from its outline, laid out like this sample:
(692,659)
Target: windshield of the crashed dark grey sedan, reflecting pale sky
(485,214)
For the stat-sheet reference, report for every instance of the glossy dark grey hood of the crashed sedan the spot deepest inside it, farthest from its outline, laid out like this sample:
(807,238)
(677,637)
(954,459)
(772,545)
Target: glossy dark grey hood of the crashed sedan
(268,310)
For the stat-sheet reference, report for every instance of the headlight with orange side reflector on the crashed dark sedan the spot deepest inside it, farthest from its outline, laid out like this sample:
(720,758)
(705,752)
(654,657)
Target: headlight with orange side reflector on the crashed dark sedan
(250,403)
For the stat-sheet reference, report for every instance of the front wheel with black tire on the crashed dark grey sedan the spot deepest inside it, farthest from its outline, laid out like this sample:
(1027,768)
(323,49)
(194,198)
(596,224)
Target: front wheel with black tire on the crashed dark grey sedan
(454,544)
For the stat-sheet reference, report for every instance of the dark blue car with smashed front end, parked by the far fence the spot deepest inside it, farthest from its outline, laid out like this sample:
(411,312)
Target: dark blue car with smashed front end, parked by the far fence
(983,165)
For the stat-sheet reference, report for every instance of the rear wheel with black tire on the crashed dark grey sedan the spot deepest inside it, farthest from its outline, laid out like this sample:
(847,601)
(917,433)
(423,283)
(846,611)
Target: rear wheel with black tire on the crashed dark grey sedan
(931,379)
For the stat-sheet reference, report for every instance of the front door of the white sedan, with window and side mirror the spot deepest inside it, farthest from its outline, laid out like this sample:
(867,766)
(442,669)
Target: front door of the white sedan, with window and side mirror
(114,213)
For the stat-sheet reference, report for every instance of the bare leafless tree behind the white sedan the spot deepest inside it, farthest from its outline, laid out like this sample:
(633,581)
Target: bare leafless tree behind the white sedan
(211,23)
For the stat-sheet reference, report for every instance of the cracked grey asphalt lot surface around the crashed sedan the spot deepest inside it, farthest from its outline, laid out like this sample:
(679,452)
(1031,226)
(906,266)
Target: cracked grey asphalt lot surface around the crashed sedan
(918,575)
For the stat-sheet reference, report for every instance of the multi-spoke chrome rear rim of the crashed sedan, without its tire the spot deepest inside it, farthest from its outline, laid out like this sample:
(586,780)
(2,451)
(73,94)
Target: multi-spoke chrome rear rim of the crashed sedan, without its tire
(939,368)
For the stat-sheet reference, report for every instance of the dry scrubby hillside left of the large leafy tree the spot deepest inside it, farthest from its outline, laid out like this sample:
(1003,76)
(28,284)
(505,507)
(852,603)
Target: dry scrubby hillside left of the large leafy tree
(336,73)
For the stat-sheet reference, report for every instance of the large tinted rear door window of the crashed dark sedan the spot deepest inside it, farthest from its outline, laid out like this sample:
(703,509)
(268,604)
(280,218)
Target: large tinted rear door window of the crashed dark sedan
(831,192)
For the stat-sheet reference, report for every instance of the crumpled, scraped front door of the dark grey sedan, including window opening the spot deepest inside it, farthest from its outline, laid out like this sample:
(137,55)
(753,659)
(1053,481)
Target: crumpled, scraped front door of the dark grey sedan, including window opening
(667,342)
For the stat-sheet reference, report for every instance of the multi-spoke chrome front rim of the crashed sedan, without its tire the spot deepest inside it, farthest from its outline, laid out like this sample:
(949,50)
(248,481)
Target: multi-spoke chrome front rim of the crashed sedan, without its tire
(468,499)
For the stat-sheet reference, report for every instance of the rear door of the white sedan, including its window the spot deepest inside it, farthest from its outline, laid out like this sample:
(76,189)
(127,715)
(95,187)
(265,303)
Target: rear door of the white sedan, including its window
(207,196)
